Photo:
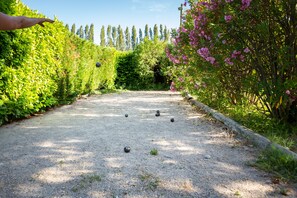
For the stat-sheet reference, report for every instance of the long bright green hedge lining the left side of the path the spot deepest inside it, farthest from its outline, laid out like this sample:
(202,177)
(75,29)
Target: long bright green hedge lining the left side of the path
(43,67)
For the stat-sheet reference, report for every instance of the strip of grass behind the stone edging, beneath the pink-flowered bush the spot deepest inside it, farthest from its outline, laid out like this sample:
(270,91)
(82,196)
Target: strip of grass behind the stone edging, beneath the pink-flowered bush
(249,116)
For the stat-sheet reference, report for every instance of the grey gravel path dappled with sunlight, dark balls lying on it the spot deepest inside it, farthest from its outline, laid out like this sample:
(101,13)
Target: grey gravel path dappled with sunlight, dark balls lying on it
(77,151)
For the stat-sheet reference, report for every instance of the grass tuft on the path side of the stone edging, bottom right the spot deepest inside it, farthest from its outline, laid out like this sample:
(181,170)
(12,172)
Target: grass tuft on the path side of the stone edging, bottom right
(281,165)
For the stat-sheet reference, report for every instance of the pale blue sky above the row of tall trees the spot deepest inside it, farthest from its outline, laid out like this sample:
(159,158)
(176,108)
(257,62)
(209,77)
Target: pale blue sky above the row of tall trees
(110,12)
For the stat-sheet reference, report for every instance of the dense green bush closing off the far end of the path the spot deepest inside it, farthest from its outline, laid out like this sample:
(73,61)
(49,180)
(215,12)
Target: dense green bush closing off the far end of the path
(145,67)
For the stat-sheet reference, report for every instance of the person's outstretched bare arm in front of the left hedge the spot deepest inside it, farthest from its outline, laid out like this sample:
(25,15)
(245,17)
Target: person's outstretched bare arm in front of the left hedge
(11,22)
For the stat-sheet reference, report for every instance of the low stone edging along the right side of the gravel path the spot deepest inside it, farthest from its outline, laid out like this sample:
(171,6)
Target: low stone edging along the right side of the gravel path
(259,140)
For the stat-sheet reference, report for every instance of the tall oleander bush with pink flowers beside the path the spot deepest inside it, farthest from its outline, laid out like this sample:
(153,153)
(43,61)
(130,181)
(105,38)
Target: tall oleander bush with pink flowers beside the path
(239,49)
